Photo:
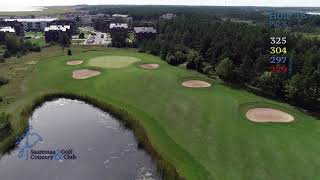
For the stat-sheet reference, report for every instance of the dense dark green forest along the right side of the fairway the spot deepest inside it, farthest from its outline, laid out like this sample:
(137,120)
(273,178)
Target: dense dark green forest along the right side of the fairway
(239,54)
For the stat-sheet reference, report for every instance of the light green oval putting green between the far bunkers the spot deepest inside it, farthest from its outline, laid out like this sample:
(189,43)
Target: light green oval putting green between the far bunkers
(112,61)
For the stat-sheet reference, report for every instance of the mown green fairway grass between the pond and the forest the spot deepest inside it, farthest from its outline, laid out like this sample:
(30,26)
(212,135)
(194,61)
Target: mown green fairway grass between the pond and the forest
(202,131)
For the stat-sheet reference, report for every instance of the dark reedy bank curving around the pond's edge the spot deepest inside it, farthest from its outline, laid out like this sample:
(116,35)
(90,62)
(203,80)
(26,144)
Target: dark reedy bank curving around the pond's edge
(166,168)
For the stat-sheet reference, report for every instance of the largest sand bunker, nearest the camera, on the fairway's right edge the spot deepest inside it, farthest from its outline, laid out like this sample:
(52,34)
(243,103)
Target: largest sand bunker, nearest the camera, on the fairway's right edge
(268,115)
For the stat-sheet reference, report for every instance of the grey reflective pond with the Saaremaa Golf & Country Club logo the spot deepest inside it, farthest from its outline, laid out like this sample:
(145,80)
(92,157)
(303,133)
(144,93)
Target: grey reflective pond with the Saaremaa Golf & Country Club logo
(69,139)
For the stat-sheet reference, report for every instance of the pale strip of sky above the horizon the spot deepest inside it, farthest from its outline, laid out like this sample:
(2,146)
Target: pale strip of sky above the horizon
(20,4)
